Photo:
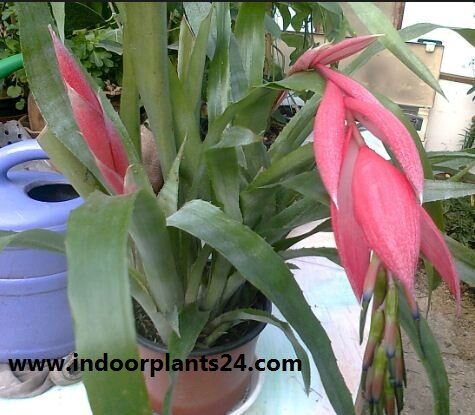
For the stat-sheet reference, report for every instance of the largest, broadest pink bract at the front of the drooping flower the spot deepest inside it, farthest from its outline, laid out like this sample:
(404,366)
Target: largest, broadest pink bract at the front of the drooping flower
(388,212)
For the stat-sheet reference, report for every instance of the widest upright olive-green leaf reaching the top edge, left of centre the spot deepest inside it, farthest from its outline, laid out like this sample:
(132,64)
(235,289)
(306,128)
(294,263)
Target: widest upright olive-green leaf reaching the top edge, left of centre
(147,24)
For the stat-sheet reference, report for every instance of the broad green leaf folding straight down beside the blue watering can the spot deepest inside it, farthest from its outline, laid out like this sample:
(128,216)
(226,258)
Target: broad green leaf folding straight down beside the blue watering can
(99,296)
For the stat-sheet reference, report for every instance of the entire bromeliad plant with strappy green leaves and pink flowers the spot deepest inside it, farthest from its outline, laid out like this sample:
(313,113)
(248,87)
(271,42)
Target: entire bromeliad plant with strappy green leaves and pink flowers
(194,256)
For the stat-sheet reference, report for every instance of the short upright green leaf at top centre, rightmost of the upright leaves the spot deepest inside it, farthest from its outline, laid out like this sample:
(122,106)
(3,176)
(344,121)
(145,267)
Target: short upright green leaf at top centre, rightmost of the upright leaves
(250,35)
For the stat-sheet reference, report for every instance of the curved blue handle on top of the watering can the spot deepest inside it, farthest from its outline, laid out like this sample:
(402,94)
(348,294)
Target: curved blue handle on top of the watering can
(18,153)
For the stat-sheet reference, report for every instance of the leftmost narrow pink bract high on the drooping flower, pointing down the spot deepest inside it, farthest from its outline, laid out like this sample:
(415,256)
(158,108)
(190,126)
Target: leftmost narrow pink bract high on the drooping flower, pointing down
(329,138)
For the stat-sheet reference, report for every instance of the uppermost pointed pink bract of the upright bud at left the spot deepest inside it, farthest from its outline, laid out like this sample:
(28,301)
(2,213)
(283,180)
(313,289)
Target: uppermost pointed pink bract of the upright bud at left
(71,72)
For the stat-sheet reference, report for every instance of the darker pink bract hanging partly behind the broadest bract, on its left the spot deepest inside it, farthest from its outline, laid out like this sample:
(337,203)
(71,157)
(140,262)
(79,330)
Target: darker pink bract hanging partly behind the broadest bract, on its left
(349,237)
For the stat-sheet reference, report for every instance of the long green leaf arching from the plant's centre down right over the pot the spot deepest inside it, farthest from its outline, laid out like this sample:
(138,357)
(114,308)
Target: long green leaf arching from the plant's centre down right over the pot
(263,267)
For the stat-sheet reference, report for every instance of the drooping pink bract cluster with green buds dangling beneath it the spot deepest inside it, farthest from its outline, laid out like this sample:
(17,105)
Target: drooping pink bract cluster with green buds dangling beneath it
(379,224)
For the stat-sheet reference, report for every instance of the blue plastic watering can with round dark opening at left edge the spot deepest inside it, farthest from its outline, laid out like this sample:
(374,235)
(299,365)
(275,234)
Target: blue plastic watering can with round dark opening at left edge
(35,320)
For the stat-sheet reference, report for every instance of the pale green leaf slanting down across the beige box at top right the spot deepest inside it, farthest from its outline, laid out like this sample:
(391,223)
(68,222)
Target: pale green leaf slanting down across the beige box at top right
(376,22)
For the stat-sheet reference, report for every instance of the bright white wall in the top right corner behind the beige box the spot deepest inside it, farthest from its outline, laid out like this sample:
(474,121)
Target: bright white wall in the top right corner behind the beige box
(448,117)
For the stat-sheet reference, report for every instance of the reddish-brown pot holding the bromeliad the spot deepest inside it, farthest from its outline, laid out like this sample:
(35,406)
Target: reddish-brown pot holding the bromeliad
(204,392)
